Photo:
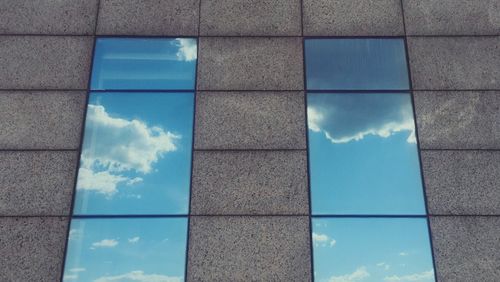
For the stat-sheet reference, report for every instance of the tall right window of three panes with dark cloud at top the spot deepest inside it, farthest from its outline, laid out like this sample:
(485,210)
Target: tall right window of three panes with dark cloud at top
(369,220)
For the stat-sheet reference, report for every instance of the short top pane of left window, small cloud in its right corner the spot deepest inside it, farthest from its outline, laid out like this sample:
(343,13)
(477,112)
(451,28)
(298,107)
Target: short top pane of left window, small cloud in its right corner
(135,63)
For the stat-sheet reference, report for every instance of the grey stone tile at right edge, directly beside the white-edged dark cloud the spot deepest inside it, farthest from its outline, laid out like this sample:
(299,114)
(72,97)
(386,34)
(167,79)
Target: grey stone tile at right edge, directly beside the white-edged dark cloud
(458,119)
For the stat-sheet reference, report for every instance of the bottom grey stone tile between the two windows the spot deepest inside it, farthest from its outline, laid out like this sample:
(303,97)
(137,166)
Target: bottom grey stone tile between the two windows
(249,249)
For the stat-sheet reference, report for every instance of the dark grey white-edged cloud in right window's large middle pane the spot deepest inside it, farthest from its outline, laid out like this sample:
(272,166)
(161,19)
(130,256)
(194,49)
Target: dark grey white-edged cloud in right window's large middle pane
(344,118)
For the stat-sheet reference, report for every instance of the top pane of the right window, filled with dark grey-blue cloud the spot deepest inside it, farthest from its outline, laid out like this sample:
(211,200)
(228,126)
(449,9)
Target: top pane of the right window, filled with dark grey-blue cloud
(356,64)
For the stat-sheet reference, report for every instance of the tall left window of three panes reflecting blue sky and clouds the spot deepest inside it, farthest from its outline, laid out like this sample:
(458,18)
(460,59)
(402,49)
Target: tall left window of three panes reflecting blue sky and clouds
(131,204)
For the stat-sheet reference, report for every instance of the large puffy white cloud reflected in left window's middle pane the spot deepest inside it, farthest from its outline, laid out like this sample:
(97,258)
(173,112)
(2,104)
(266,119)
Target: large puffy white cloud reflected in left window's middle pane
(122,145)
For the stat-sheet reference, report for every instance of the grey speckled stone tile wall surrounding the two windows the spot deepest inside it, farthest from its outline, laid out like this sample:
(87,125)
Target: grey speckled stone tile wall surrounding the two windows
(250,141)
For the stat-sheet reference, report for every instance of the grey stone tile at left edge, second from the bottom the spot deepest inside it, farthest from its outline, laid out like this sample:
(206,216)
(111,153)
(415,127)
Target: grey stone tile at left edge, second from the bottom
(36,182)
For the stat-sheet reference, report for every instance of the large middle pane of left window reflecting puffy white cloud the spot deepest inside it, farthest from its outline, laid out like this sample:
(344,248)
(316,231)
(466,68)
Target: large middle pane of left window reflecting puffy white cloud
(136,154)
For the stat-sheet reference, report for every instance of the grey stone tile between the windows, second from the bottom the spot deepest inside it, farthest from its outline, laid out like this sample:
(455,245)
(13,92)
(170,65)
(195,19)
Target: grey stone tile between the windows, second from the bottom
(249,182)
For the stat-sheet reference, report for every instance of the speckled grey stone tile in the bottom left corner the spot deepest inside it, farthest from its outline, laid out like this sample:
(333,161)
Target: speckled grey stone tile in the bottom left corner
(32,248)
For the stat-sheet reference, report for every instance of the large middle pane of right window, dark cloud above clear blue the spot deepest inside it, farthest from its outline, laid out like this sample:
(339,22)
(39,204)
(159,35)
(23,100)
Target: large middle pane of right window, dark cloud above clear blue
(363,154)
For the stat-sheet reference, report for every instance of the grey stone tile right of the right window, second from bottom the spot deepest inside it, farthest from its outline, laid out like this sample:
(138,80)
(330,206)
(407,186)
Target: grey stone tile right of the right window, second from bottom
(462,182)
